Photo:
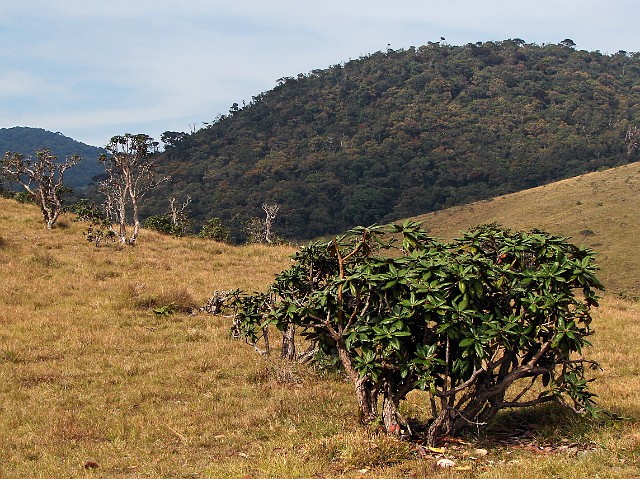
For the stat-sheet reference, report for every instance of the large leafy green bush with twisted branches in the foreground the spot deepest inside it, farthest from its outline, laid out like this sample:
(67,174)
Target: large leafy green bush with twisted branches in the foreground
(475,323)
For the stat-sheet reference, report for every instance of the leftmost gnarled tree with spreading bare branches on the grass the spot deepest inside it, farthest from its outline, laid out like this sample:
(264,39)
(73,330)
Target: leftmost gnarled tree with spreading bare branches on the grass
(41,178)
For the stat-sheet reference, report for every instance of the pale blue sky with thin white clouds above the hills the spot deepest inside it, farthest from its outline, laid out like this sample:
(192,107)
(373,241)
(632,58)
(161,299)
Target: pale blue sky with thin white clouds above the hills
(92,69)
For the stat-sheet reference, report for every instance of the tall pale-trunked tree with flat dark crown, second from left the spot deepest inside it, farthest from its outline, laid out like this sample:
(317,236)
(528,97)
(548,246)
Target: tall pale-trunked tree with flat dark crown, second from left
(131,176)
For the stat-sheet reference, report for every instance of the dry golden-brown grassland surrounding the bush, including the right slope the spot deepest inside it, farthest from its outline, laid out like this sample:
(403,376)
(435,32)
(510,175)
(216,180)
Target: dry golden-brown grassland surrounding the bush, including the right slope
(94,384)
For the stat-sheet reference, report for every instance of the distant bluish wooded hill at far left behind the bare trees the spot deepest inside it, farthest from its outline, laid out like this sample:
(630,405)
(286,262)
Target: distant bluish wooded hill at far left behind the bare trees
(26,140)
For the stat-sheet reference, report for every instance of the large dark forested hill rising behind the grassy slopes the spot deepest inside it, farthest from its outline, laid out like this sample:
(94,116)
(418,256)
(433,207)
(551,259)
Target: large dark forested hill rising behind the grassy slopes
(399,133)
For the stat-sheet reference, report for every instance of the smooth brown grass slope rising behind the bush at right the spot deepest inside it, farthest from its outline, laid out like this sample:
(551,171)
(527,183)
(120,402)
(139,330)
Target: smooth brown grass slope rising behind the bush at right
(600,210)
